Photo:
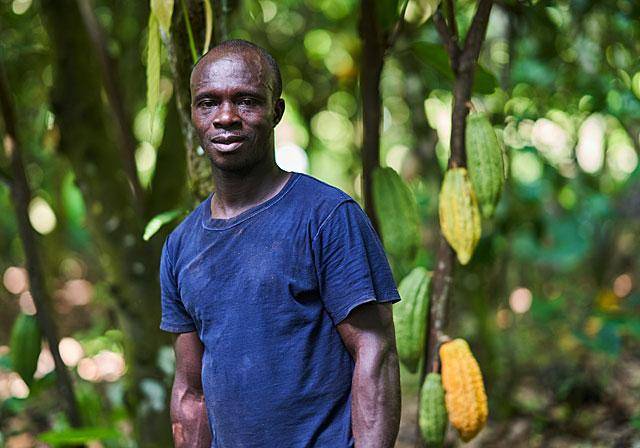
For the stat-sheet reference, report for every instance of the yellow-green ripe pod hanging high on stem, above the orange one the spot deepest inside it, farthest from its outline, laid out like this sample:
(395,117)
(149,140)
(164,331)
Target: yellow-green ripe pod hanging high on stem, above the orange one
(459,213)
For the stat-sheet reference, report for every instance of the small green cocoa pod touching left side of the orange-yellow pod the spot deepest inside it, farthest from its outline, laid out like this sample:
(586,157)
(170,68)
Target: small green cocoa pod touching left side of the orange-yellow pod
(433,413)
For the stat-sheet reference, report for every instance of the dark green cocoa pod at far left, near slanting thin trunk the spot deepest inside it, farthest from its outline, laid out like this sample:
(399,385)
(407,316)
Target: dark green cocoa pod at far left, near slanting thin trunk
(25,347)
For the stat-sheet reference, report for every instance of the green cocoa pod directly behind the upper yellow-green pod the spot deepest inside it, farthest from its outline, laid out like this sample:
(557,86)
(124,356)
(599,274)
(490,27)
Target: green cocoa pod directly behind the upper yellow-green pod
(484,162)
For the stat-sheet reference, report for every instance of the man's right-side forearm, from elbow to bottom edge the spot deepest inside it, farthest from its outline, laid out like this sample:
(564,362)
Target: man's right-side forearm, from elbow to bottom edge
(375,395)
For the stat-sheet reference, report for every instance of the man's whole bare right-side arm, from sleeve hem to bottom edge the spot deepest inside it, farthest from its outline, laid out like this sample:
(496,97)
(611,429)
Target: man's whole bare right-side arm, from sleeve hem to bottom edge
(368,334)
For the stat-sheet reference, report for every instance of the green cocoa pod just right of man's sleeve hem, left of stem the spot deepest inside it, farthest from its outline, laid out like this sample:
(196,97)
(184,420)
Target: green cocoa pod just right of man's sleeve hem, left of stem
(410,317)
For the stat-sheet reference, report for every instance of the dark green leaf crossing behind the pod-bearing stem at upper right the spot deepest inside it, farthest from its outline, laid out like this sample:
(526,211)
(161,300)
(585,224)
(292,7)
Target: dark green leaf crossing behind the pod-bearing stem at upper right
(435,57)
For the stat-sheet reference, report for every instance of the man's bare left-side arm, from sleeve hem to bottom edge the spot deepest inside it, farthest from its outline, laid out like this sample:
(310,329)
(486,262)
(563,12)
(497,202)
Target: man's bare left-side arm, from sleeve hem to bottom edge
(189,422)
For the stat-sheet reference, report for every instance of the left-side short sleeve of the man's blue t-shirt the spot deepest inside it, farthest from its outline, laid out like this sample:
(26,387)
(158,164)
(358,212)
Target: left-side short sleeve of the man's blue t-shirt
(175,318)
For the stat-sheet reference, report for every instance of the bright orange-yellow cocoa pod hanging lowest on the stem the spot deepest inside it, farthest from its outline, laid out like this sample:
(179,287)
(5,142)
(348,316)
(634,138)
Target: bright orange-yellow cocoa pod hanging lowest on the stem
(465,397)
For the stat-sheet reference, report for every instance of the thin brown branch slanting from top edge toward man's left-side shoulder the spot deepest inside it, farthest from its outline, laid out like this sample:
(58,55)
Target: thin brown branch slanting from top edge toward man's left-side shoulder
(123,122)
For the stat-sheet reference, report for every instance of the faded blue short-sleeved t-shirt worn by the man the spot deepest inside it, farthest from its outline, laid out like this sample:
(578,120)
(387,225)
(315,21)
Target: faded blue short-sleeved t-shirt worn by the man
(265,291)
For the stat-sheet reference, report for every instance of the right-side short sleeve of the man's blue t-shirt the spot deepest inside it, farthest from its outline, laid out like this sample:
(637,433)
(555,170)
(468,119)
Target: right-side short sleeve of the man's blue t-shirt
(351,265)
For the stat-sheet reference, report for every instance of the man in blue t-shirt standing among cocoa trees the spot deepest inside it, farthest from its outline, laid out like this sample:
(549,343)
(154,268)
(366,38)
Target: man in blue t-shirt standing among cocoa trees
(277,286)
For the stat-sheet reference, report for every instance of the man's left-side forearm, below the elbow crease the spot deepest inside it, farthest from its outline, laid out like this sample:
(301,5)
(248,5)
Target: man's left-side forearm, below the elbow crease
(189,422)
